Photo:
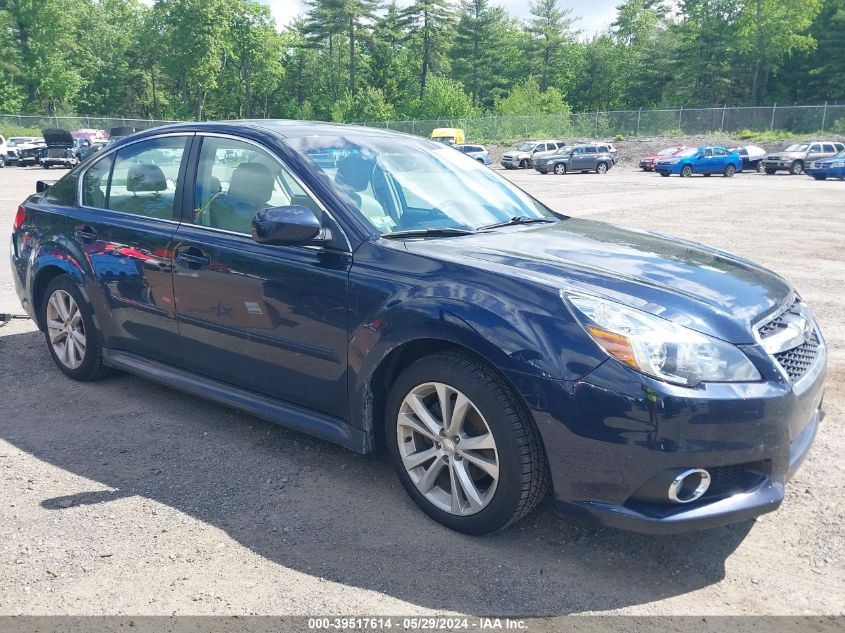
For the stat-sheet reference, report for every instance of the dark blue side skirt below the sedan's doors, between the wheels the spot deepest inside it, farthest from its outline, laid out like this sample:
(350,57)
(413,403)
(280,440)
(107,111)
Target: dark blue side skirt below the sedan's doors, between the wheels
(288,415)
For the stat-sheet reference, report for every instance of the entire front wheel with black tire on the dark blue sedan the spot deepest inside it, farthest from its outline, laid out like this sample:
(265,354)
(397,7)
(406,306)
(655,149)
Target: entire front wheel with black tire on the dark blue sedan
(479,467)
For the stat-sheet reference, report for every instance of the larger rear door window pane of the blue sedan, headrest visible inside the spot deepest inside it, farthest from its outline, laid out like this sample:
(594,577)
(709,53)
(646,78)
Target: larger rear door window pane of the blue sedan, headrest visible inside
(143,180)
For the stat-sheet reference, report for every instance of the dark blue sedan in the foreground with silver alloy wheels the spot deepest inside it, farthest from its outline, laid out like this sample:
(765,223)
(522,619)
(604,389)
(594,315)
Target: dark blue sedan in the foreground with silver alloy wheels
(375,289)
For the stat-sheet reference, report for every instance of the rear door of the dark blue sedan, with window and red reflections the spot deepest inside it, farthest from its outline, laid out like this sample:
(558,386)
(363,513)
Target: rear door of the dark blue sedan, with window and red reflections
(124,225)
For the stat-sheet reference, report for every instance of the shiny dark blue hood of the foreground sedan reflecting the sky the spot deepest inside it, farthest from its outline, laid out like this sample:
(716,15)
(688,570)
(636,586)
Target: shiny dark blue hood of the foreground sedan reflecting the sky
(690,284)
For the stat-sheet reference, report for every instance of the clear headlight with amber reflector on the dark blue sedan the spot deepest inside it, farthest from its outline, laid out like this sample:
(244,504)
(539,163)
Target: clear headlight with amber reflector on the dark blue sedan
(658,347)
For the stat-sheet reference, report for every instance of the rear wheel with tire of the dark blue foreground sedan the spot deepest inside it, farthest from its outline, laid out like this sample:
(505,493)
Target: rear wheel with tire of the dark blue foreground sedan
(69,329)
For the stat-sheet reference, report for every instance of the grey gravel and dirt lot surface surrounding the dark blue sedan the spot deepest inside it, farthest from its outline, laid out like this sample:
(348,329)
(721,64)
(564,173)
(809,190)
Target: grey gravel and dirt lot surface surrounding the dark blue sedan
(126,497)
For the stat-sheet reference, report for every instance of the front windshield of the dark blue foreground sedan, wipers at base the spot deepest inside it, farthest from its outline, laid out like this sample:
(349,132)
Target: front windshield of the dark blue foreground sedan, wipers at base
(409,185)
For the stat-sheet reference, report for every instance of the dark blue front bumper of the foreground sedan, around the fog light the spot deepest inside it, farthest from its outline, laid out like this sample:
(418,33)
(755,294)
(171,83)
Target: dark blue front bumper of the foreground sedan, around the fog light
(615,430)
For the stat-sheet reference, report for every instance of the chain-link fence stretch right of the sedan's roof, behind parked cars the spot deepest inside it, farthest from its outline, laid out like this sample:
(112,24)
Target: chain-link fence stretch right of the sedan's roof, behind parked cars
(637,123)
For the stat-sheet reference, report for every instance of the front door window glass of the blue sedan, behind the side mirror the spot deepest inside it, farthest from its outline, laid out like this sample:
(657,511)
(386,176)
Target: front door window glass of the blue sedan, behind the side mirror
(235,180)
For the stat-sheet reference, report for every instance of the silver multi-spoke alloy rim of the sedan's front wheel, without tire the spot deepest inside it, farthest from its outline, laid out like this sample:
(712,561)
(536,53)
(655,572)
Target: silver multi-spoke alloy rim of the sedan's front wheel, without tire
(447,449)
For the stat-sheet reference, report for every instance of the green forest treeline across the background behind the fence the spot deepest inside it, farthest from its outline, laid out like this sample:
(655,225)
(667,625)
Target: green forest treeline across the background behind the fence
(353,60)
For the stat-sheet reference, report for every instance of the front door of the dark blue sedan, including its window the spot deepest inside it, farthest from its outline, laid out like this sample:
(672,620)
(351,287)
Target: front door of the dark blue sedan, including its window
(271,319)
